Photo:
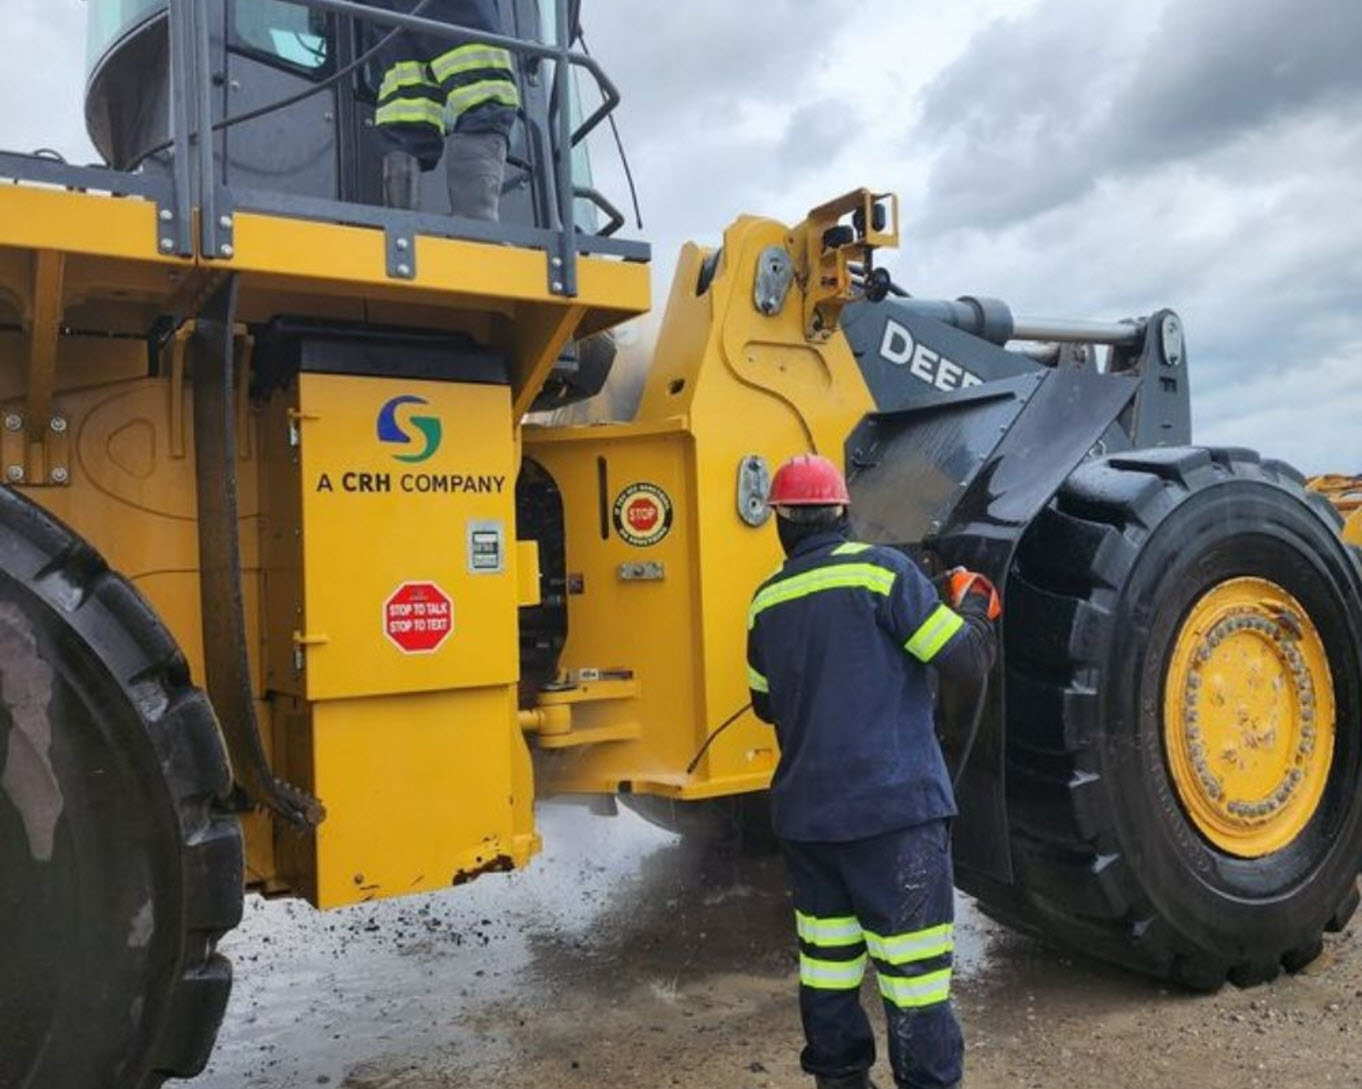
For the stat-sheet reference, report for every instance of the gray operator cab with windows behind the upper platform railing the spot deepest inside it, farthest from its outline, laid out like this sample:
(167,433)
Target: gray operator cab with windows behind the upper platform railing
(294,93)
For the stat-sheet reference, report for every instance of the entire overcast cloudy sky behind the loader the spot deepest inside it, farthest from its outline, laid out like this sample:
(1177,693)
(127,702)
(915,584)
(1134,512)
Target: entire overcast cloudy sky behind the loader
(1081,159)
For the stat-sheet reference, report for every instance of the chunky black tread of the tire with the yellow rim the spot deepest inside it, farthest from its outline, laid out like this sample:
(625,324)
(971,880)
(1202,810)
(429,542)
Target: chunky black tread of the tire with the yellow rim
(1073,879)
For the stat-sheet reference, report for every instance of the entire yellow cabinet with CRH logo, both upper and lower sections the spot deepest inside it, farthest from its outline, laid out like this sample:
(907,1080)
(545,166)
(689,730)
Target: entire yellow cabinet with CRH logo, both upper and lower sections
(393,632)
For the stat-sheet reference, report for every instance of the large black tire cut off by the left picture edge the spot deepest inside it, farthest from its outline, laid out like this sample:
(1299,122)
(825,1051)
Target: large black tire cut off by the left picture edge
(121,869)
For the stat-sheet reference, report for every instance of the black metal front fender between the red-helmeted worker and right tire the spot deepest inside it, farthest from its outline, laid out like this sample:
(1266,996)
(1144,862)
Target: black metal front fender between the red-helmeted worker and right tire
(957,481)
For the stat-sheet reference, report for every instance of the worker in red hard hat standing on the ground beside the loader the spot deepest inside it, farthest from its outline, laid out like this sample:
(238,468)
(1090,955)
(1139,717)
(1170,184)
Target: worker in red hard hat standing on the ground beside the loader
(840,645)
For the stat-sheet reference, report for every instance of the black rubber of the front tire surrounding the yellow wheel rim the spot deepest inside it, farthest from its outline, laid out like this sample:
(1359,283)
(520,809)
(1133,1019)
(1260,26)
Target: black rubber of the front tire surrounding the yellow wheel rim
(1107,858)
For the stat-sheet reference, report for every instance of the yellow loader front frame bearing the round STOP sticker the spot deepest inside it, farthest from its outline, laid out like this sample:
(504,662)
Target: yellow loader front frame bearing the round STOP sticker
(729,383)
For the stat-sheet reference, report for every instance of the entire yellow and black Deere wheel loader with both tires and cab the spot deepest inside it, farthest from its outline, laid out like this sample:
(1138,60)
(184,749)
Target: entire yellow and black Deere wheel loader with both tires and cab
(292,589)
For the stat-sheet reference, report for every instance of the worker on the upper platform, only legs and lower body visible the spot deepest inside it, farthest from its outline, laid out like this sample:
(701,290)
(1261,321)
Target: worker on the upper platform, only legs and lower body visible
(442,99)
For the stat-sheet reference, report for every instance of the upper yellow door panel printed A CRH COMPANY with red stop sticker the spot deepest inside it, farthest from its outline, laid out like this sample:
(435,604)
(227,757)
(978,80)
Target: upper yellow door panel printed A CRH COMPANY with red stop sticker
(375,521)
